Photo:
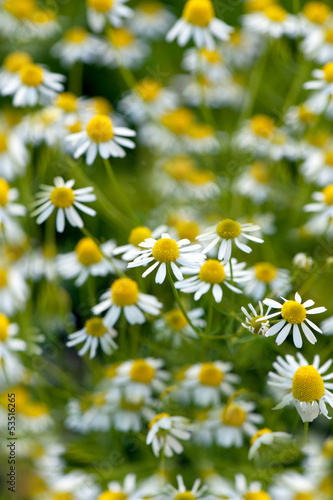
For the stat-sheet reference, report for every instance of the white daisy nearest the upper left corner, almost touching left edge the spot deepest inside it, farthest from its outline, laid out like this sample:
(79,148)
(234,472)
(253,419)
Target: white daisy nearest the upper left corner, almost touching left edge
(34,84)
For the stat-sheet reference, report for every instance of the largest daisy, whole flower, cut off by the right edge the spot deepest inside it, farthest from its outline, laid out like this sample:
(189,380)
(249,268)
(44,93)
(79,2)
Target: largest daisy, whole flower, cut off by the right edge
(306,385)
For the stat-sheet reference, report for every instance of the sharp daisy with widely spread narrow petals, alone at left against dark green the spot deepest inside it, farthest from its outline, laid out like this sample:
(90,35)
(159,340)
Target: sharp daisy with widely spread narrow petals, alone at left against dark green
(65,200)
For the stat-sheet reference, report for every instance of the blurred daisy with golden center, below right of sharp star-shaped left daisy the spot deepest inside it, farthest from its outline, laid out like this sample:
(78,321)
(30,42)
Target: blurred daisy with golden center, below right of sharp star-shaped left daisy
(88,259)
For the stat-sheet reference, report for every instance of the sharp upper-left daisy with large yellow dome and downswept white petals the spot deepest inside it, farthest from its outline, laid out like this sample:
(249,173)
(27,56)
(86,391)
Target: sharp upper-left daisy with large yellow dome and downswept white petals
(101,137)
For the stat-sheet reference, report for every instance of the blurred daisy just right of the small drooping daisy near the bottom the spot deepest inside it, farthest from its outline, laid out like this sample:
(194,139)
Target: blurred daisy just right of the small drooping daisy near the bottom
(234,421)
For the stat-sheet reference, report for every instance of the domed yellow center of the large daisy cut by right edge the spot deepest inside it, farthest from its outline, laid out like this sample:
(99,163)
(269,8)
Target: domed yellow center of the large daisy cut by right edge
(307,385)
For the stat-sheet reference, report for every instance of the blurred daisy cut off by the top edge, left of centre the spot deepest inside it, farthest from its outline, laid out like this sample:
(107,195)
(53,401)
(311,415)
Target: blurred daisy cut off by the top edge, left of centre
(101,12)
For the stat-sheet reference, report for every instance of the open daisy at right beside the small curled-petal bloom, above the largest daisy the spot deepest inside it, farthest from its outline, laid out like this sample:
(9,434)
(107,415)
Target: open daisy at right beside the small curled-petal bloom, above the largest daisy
(293,313)
